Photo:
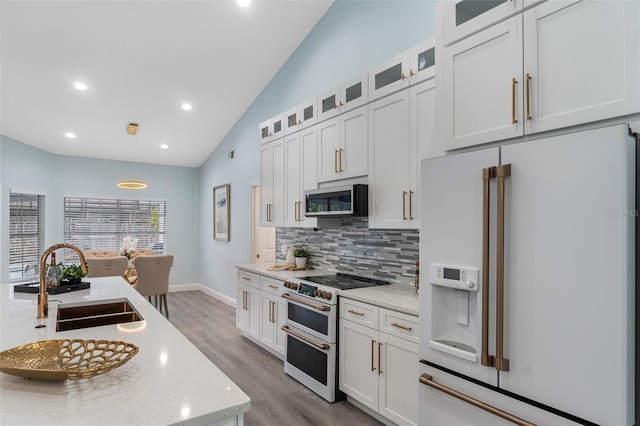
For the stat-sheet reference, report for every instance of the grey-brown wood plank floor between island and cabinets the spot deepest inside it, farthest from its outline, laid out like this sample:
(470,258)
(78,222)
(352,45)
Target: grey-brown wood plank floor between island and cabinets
(276,398)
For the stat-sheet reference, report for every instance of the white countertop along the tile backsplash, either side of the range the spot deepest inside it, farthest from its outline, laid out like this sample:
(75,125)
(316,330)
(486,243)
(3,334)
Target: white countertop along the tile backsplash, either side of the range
(399,297)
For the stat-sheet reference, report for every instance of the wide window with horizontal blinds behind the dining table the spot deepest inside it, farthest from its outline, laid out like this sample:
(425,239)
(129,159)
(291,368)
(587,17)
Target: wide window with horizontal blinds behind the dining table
(100,224)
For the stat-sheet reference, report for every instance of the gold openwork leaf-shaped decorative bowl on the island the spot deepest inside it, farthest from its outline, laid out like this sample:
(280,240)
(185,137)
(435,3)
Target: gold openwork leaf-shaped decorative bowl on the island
(65,359)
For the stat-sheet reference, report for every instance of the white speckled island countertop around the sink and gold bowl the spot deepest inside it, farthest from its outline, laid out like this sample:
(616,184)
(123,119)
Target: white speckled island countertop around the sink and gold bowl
(168,381)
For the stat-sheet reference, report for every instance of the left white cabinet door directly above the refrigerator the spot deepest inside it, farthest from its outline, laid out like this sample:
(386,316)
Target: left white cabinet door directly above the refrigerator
(481,81)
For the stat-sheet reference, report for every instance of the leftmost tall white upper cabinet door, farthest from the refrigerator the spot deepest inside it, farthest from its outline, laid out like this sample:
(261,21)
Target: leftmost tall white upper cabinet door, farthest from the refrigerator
(272,183)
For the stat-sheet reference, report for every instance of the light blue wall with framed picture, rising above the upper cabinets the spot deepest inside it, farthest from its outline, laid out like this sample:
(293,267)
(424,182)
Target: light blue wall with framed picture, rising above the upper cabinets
(352,37)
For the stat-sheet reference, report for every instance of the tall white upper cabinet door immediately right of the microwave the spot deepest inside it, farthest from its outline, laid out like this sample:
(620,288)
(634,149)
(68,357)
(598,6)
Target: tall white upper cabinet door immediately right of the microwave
(389,159)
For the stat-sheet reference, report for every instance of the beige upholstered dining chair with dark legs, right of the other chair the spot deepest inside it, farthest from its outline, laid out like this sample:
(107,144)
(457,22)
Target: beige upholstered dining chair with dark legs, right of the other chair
(153,278)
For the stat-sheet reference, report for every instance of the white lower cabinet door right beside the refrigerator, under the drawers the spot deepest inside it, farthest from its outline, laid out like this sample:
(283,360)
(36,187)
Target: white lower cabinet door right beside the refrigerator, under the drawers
(398,391)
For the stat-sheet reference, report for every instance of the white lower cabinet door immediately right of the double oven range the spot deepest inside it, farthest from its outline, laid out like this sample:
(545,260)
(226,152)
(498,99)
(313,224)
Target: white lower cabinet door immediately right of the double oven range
(358,369)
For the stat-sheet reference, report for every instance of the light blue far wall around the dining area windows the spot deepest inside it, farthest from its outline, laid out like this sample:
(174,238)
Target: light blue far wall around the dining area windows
(25,168)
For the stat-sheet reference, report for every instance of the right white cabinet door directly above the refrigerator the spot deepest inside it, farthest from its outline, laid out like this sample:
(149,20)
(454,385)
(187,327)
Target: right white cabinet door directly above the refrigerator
(581,62)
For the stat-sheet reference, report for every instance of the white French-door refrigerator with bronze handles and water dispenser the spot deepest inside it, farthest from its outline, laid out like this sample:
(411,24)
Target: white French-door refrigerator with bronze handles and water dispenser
(528,286)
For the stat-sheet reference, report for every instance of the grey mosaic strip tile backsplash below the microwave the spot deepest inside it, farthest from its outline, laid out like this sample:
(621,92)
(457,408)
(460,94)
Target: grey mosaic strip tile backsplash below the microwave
(388,254)
